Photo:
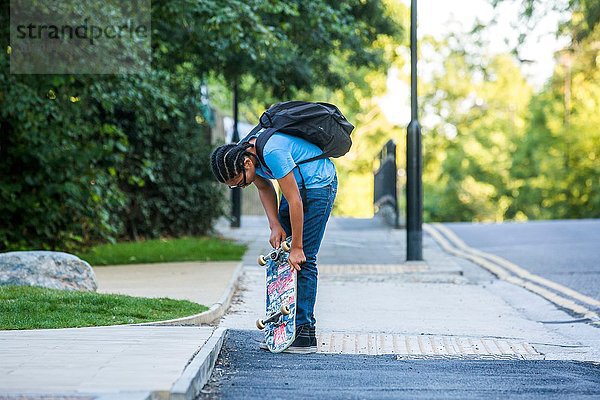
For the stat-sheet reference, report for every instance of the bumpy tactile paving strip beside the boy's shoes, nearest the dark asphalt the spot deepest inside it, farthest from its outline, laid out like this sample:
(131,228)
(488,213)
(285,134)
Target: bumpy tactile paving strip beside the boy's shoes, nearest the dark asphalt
(426,346)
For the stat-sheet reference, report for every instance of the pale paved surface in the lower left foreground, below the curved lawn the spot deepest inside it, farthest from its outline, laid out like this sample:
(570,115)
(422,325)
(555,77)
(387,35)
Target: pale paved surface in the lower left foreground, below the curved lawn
(131,361)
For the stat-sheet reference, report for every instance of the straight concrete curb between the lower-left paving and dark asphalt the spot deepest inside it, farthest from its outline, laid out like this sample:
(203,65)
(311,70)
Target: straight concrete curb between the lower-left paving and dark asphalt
(198,372)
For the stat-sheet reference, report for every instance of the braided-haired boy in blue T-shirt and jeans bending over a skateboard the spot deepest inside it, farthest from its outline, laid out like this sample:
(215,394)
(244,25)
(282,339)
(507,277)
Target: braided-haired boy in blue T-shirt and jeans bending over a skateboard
(301,215)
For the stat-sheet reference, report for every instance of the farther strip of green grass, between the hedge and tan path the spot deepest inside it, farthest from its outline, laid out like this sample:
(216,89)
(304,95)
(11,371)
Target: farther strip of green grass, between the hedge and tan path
(164,250)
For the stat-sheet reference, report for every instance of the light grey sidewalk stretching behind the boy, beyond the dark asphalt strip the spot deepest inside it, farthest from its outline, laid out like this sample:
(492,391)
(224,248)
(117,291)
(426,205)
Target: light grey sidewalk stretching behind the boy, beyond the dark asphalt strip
(370,301)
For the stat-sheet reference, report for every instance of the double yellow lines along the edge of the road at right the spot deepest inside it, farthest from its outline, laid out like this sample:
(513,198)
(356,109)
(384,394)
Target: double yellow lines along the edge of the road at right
(505,270)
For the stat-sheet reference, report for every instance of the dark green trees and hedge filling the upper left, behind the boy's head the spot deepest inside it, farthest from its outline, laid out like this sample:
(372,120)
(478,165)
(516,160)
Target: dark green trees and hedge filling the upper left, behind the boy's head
(92,158)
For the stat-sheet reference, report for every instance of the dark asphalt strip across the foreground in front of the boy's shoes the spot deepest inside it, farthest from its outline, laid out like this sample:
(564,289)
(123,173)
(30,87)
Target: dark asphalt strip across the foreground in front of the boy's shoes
(245,372)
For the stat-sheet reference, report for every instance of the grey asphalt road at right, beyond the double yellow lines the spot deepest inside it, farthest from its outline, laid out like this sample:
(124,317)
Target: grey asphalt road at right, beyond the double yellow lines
(565,251)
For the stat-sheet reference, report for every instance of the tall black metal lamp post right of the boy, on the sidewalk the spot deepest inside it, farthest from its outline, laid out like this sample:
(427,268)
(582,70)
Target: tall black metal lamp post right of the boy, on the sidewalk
(414,162)
